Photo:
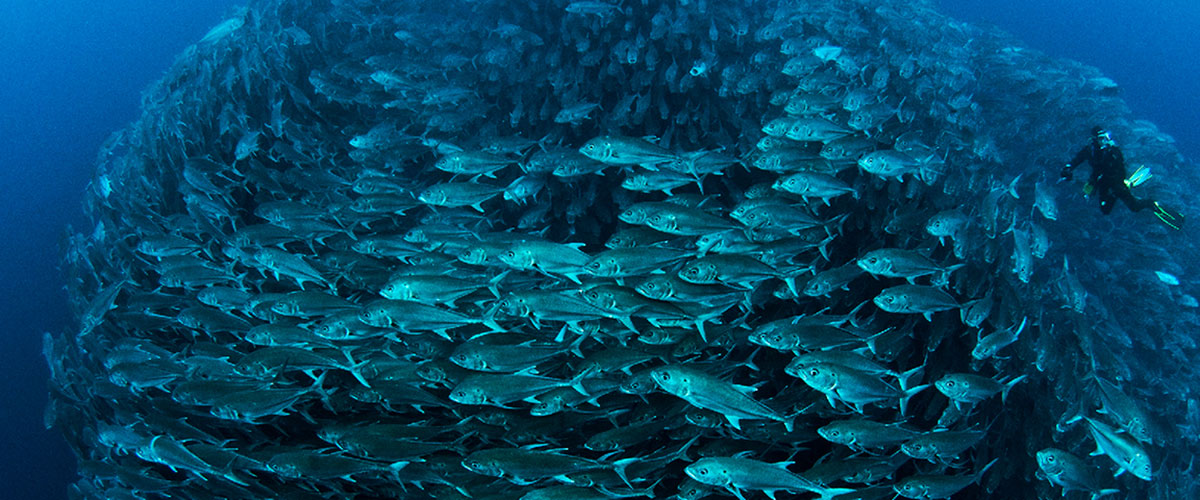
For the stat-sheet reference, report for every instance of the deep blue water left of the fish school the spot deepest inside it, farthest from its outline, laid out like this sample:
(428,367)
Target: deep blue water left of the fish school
(73,73)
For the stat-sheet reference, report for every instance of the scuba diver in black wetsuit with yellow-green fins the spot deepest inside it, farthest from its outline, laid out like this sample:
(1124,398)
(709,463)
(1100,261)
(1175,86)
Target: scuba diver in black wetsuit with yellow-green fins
(1108,180)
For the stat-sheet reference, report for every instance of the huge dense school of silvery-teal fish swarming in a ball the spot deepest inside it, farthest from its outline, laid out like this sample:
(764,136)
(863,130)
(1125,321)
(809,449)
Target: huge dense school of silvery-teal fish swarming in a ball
(596,250)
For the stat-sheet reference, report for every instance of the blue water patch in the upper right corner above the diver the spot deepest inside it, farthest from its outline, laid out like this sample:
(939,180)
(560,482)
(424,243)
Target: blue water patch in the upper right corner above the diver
(1149,47)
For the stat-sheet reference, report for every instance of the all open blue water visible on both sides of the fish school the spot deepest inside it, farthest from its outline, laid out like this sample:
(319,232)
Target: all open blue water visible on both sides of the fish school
(74,73)
